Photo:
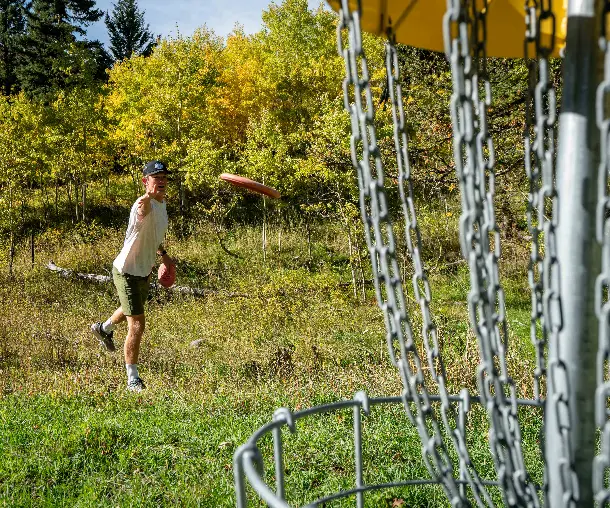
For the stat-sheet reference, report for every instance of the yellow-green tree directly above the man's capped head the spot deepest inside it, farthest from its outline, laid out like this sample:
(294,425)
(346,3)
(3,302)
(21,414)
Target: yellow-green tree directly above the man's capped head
(159,103)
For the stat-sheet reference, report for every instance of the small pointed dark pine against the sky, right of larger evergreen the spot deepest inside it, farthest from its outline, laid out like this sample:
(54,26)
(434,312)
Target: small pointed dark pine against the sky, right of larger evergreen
(127,31)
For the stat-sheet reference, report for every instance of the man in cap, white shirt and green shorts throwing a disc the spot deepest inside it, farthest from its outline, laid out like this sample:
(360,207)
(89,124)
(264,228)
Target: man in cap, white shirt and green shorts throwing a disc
(132,268)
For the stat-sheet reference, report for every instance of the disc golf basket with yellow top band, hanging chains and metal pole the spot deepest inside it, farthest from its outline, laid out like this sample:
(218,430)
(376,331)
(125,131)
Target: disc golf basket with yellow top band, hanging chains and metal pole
(569,269)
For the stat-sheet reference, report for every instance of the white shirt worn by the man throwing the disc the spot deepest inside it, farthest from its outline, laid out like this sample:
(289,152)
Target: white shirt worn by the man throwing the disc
(142,240)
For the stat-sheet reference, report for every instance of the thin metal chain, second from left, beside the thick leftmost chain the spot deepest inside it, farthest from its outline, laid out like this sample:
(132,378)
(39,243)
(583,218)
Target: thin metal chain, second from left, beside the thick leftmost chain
(421,285)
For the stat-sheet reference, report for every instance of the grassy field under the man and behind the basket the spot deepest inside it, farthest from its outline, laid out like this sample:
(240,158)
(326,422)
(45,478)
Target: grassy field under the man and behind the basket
(284,331)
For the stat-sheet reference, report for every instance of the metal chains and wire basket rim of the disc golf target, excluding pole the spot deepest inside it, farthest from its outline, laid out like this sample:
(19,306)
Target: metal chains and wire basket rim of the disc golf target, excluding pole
(465,35)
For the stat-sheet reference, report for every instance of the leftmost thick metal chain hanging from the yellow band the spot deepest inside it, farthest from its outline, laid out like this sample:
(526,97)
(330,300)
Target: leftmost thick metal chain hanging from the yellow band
(381,244)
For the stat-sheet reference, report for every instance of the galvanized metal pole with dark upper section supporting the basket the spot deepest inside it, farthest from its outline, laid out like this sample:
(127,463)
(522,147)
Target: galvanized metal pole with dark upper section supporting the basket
(570,423)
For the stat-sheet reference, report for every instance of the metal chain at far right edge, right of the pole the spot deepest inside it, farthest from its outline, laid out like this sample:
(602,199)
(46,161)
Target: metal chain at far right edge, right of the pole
(601,464)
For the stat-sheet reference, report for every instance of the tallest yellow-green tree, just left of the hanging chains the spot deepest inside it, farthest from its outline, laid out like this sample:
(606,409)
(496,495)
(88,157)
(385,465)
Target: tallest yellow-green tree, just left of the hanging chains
(300,82)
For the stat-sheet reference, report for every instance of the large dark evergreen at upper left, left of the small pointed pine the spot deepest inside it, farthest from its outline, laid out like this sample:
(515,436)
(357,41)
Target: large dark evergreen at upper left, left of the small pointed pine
(49,50)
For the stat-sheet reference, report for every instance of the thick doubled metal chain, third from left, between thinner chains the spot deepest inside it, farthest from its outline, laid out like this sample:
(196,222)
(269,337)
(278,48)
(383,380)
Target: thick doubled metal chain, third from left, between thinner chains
(474,159)
